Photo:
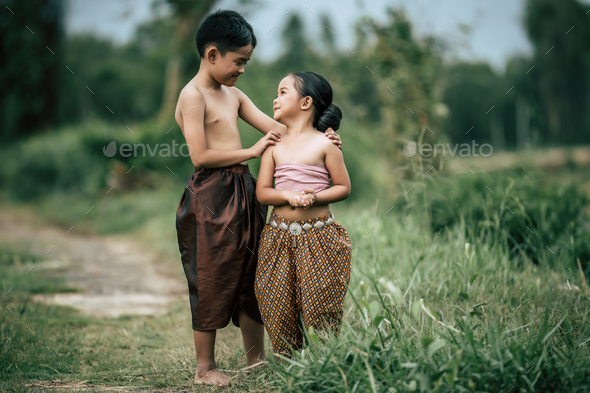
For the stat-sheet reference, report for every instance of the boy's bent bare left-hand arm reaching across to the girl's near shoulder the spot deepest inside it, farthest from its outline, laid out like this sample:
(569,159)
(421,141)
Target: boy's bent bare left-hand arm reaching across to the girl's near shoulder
(192,106)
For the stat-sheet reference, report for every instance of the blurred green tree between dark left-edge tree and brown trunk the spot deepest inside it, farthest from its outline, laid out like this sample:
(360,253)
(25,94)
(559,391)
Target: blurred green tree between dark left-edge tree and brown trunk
(115,82)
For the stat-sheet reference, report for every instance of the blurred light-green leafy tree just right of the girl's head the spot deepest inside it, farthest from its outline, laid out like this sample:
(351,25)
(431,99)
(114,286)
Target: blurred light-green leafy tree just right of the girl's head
(410,74)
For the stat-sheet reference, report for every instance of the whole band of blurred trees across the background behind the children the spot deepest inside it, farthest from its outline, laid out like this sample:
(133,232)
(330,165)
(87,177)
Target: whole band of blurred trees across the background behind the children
(550,93)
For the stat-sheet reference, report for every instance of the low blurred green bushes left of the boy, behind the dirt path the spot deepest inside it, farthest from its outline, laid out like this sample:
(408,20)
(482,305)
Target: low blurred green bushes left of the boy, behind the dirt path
(72,161)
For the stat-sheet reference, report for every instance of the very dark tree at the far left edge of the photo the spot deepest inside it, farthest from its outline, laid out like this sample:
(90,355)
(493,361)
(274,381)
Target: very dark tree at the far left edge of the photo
(31,64)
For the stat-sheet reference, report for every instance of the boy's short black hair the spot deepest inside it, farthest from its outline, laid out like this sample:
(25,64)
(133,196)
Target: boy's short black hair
(225,29)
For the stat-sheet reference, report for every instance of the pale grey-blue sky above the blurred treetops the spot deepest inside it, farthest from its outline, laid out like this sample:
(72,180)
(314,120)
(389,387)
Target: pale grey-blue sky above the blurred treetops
(495,28)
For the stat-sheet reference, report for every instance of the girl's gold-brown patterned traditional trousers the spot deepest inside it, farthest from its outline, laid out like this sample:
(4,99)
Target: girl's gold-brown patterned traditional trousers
(302,281)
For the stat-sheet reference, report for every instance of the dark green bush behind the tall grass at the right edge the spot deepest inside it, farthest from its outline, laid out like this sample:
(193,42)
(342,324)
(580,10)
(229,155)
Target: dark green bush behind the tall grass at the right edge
(533,218)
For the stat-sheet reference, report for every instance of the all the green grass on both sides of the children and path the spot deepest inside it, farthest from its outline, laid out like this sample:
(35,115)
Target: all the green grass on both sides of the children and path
(422,314)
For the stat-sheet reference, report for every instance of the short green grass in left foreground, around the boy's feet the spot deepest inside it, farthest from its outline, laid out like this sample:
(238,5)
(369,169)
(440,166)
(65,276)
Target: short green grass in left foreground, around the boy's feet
(42,342)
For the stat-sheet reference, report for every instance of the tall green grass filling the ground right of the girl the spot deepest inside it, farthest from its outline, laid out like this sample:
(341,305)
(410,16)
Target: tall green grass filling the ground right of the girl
(431,313)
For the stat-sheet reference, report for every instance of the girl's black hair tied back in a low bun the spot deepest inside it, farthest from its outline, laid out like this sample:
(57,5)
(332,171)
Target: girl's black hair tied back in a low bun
(325,114)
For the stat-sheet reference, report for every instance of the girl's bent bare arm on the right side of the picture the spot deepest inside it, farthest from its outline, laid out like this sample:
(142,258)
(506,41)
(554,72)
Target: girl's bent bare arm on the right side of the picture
(340,189)
